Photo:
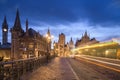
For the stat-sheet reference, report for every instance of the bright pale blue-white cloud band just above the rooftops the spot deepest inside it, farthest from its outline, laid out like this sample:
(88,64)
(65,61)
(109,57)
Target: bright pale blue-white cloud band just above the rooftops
(76,29)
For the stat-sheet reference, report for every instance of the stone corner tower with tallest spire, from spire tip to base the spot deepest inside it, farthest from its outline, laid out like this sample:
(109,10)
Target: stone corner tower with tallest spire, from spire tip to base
(16,33)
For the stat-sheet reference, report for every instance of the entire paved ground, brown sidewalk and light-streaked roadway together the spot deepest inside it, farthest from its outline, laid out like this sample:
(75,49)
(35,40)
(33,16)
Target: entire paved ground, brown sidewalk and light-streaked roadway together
(81,68)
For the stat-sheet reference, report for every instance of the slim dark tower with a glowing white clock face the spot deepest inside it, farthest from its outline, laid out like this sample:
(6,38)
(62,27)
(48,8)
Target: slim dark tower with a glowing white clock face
(4,31)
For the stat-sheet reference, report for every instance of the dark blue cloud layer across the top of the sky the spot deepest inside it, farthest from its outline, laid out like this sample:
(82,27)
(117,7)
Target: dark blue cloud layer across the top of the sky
(67,11)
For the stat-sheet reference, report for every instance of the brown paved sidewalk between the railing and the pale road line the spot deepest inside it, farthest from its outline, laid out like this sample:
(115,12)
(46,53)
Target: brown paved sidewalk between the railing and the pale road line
(57,69)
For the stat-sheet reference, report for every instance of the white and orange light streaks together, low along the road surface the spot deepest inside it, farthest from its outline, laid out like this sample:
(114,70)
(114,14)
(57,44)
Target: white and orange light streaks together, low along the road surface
(101,65)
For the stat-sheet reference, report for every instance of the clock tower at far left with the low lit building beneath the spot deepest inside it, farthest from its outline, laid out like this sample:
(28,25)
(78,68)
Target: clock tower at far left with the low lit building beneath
(5,47)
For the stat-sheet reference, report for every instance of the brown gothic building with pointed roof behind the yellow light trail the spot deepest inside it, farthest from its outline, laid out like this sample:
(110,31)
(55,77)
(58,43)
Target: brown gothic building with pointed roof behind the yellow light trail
(85,40)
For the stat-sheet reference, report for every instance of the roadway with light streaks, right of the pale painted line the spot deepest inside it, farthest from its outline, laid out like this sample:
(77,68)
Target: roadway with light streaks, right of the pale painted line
(95,68)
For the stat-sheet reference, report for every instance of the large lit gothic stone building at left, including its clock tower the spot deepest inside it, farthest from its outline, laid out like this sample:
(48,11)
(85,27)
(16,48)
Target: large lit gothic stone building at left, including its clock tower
(24,44)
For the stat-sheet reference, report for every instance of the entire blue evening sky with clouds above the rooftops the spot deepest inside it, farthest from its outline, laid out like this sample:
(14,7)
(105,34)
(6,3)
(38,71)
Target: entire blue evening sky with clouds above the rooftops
(100,18)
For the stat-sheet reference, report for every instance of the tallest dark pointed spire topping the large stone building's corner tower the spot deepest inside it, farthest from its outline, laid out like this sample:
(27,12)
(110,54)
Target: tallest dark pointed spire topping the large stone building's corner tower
(17,24)
